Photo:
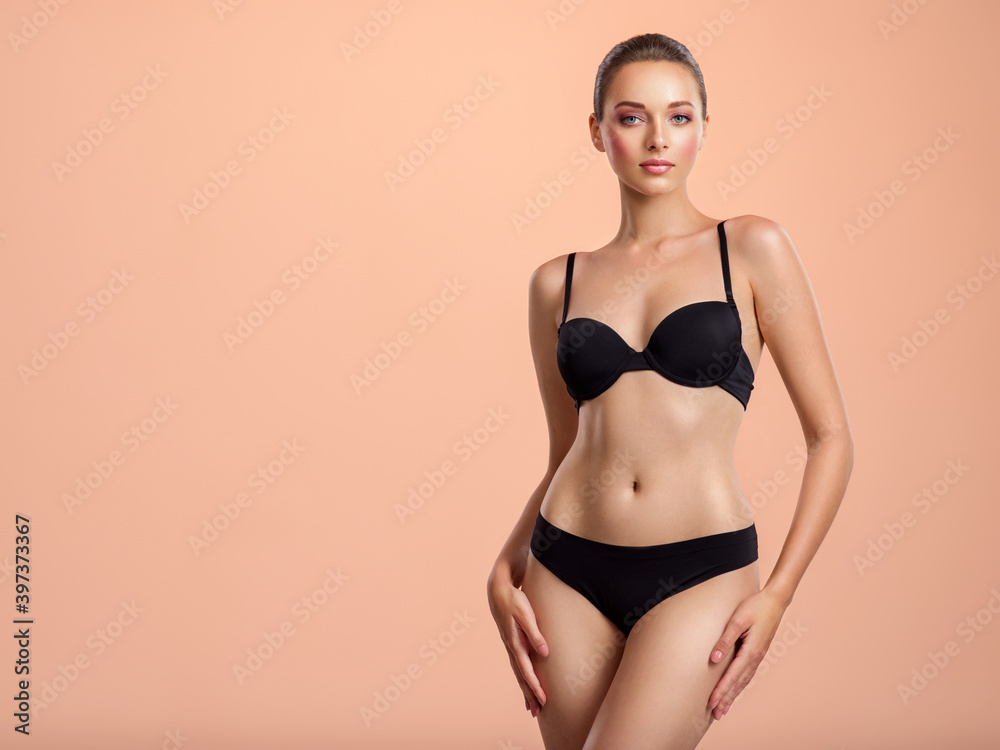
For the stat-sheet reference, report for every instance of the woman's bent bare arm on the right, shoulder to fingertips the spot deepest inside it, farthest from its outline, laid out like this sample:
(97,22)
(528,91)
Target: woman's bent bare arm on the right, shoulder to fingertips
(790,325)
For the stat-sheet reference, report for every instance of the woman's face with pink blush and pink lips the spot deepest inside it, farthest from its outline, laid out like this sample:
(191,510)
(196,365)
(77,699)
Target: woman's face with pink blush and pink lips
(652,111)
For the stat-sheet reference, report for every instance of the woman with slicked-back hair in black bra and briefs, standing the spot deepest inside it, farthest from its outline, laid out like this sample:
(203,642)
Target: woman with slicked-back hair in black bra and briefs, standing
(628,594)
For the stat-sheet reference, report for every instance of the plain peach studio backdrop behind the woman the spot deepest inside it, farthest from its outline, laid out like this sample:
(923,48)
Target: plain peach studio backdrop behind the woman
(165,678)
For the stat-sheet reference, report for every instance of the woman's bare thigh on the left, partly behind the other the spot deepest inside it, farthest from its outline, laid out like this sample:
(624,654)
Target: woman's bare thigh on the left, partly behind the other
(584,651)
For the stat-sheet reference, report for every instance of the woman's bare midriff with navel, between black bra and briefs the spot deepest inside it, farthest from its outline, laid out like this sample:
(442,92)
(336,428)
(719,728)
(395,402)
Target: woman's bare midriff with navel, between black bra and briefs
(652,463)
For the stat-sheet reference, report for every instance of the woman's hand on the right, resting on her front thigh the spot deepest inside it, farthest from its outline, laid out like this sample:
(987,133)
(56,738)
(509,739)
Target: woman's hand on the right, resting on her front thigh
(755,621)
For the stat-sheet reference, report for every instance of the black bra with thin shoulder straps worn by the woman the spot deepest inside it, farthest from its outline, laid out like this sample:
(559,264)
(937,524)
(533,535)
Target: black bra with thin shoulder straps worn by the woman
(697,345)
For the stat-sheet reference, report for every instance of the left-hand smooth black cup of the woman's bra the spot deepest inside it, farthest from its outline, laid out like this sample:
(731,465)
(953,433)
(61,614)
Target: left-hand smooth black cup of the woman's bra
(589,354)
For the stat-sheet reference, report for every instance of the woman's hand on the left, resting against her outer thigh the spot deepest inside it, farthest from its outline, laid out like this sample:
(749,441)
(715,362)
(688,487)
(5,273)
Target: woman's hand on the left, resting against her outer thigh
(516,621)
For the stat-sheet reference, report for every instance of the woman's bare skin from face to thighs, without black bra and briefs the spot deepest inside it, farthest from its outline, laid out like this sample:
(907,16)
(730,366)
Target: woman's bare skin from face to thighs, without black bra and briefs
(690,656)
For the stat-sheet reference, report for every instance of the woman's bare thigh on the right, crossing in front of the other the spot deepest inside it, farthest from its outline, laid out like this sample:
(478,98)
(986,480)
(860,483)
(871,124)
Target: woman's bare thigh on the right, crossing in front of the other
(659,696)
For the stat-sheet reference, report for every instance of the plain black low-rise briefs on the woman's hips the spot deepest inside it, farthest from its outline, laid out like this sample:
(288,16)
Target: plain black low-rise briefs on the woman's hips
(625,582)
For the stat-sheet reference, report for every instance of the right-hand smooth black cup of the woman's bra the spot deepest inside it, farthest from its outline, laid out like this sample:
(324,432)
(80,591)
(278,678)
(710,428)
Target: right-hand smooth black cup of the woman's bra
(699,344)
